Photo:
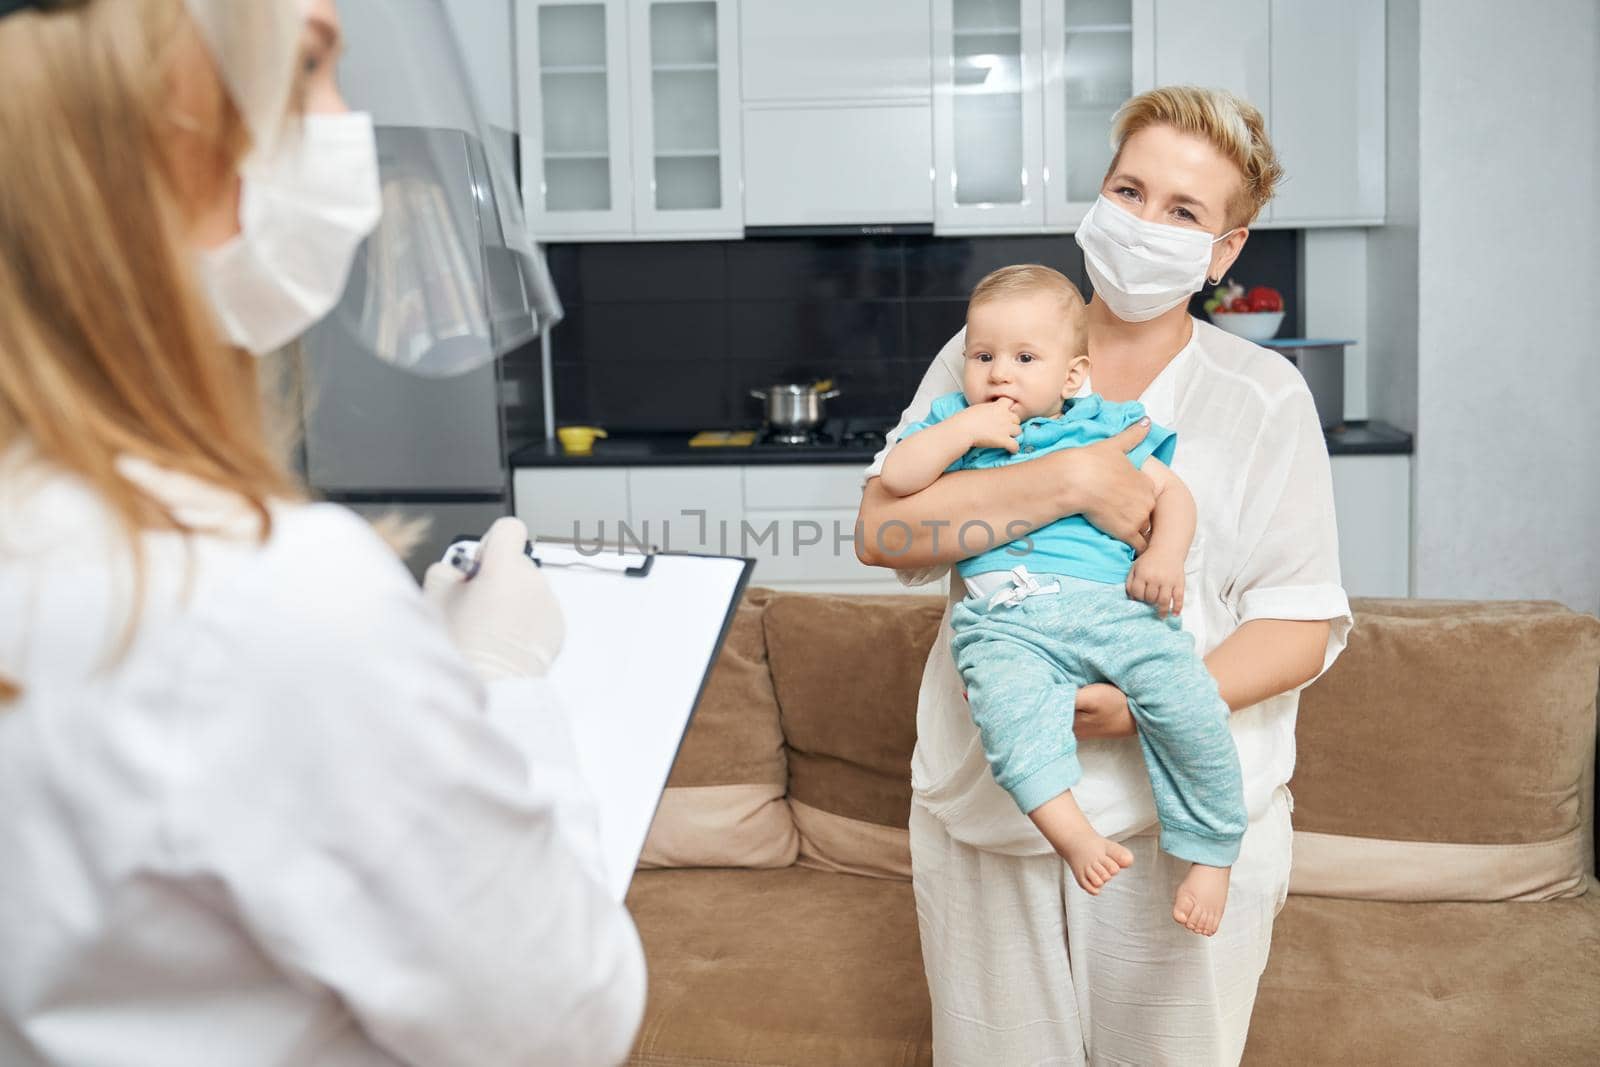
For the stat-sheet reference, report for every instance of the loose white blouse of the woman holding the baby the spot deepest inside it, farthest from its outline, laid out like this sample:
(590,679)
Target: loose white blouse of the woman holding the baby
(1250,449)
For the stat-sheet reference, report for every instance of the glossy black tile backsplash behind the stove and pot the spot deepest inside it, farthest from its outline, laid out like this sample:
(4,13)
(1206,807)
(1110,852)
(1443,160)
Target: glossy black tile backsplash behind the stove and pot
(673,337)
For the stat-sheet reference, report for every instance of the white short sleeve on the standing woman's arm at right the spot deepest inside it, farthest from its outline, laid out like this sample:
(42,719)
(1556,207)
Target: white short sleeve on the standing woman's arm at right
(1289,561)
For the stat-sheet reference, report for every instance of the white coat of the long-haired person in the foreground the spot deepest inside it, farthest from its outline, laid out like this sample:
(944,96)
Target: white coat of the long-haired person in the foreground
(281,828)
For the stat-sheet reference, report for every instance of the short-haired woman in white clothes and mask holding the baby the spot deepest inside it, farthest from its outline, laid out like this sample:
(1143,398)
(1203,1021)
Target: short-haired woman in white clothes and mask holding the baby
(1023,965)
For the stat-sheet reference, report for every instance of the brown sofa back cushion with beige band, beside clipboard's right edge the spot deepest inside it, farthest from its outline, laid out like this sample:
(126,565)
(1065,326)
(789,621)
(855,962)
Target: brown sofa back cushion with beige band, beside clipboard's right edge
(726,805)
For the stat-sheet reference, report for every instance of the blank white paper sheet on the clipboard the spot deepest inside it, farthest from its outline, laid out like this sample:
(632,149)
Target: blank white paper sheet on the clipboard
(638,652)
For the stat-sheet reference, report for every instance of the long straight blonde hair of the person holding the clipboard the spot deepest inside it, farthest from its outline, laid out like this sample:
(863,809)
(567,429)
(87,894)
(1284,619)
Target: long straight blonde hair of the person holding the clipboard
(106,346)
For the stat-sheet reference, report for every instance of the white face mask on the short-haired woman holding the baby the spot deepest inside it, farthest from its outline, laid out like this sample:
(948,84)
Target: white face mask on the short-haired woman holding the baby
(1142,270)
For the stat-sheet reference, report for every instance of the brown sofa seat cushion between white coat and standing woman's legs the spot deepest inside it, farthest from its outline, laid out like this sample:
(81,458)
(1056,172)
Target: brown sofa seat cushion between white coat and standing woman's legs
(780,967)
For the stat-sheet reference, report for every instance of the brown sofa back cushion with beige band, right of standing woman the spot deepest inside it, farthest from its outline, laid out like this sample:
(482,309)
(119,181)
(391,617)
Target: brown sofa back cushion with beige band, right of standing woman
(1447,756)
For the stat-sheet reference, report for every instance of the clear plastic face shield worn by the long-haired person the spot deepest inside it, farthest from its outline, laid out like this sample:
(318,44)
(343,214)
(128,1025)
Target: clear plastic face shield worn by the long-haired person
(450,279)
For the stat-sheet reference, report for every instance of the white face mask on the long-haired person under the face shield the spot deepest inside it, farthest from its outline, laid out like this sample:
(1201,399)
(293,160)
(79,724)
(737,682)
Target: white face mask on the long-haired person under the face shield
(303,214)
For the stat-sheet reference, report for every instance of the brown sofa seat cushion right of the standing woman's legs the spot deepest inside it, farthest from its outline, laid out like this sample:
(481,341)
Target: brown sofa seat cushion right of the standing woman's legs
(1382,983)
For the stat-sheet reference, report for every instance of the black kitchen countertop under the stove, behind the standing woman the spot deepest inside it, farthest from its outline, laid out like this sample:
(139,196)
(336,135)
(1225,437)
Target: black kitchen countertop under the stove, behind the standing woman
(1361,438)
